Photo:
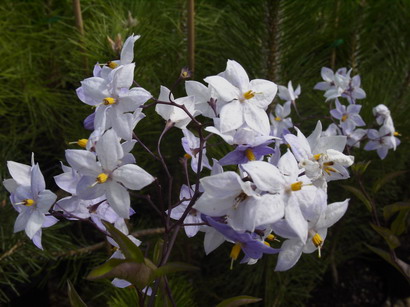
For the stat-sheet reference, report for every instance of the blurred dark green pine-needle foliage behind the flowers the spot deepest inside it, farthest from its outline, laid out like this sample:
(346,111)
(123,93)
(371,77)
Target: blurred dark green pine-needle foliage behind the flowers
(43,58)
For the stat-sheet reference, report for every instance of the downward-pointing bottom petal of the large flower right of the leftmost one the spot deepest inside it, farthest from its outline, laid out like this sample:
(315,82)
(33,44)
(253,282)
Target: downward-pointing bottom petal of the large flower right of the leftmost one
(119,199)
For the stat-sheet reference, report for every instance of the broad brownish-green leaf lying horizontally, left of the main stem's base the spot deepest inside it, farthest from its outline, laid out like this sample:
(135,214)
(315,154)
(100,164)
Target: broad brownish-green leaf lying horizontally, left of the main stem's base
(139,274)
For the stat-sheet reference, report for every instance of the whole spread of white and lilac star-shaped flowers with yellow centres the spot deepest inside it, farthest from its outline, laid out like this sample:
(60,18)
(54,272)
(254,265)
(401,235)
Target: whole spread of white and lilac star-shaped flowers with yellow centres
(278,193)
